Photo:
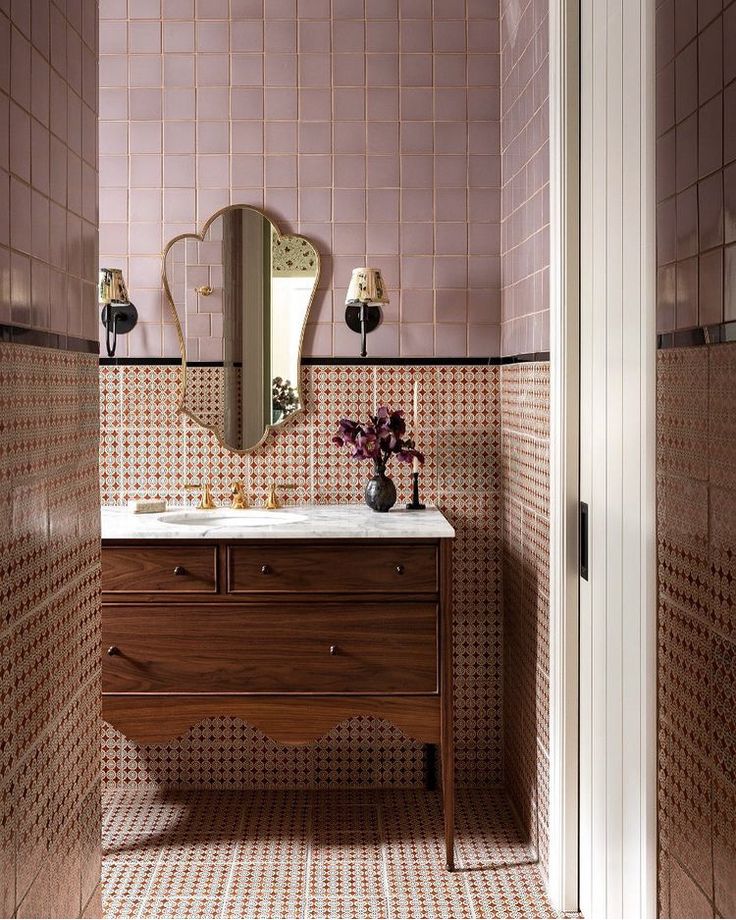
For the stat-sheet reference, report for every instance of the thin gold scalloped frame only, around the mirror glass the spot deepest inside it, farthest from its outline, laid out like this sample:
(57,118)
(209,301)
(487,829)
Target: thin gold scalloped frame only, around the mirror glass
(181,408)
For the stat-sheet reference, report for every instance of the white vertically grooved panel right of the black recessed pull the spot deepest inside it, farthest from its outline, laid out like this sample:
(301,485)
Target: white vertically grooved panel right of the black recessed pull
(617,372)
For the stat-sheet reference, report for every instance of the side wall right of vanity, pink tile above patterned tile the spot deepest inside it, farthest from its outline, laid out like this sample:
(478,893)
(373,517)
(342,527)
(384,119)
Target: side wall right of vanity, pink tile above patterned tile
(524,412)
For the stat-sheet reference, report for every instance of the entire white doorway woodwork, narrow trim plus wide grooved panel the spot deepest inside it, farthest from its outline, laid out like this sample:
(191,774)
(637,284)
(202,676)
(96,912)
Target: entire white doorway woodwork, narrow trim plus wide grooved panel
(602,288)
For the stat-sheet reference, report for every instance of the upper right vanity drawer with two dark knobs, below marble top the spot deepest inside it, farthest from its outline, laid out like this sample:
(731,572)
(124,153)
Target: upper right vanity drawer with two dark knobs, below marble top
(354,569)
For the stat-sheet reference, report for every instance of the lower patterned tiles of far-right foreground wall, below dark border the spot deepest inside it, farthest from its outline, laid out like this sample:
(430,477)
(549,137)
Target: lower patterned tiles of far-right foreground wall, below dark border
(696,585)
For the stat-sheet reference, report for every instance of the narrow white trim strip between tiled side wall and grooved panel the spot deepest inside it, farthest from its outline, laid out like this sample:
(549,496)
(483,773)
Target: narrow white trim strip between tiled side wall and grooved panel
(564,90)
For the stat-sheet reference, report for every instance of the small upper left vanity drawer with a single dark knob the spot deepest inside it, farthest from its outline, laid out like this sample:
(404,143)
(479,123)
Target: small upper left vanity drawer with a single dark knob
(154,569)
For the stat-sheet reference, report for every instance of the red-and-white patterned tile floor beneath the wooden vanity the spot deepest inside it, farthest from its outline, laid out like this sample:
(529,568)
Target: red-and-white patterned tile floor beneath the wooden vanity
(313,854)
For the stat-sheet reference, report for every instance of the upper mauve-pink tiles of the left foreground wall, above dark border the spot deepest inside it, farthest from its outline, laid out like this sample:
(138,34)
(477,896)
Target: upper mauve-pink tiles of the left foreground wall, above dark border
(48,166)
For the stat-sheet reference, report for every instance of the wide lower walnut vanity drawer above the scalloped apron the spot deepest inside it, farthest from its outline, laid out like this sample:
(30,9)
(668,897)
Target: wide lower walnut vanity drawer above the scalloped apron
(367,648)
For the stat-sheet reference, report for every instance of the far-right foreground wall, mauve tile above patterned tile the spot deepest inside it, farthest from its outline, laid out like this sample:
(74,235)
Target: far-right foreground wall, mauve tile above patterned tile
(696,460)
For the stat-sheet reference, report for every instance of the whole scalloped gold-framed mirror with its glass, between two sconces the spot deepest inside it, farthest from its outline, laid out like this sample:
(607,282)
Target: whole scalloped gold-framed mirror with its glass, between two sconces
(240,292)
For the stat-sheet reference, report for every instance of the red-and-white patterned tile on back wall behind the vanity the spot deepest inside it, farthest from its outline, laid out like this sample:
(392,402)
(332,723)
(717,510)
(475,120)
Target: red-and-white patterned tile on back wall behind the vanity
(150,453)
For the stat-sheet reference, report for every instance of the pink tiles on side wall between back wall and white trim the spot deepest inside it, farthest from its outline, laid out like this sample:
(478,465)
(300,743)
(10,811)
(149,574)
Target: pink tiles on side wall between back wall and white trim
(525,176)
